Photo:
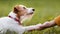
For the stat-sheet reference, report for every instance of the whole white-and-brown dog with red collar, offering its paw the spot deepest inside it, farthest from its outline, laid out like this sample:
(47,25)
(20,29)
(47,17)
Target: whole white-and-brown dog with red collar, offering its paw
(15,18)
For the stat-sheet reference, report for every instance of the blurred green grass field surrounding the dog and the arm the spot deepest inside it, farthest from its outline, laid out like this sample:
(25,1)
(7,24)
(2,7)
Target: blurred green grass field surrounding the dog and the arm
(46,10)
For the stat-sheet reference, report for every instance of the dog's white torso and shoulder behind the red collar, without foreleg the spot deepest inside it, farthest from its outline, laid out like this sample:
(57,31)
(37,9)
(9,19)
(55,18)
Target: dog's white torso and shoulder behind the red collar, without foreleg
(11,24)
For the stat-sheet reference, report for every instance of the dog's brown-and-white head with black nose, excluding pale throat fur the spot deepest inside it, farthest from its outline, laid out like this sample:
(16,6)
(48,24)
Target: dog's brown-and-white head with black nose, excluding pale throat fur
(23,10)
